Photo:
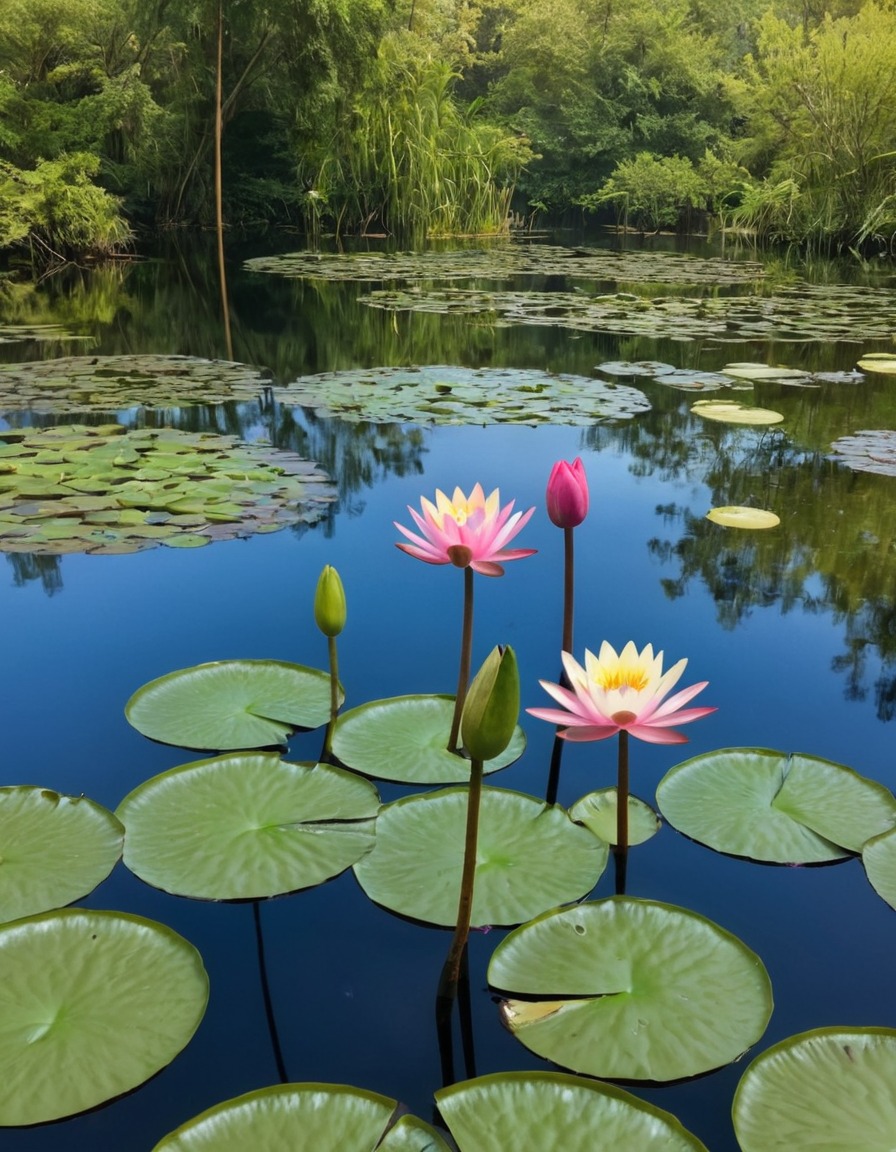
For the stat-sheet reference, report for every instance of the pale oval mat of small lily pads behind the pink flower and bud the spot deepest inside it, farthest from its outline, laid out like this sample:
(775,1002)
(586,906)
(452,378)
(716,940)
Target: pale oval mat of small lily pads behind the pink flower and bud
(439,395)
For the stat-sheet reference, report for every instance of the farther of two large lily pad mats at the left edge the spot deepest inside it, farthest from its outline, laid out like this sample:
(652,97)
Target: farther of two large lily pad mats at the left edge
(93,384)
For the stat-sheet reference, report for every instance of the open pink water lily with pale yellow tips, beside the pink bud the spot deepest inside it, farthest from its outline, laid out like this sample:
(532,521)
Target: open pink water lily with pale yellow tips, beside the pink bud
(467,532)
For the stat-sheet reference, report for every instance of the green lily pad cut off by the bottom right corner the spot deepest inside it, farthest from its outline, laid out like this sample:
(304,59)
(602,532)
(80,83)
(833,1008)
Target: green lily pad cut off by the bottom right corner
(830,1089)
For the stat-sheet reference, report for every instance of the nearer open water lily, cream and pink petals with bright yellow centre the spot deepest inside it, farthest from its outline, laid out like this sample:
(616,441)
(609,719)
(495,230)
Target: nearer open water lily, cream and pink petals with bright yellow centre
(626,692)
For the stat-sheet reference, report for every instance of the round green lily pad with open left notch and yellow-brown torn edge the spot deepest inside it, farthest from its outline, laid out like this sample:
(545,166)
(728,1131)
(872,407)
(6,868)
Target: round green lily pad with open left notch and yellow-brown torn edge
(632,990)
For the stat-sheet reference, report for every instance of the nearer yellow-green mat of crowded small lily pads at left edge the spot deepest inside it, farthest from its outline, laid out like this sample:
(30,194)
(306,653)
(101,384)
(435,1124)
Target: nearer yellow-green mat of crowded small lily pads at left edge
(109,490)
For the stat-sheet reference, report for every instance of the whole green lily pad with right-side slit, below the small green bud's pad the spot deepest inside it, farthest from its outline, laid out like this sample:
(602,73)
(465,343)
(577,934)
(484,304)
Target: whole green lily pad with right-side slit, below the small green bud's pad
(246,827)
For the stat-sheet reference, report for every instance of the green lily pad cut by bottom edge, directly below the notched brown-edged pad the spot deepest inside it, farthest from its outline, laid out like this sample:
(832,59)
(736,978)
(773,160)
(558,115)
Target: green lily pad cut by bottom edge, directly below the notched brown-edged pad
(557,1111)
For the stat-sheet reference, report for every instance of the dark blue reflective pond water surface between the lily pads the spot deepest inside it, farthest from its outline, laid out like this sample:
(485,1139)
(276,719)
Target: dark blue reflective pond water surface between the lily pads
(794,630)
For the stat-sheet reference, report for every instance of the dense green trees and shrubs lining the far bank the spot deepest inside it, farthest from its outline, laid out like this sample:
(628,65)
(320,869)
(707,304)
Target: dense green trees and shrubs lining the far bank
(424,118)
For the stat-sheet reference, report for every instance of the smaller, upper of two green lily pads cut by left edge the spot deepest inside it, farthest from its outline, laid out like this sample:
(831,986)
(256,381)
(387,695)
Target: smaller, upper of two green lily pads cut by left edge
(54,850)
